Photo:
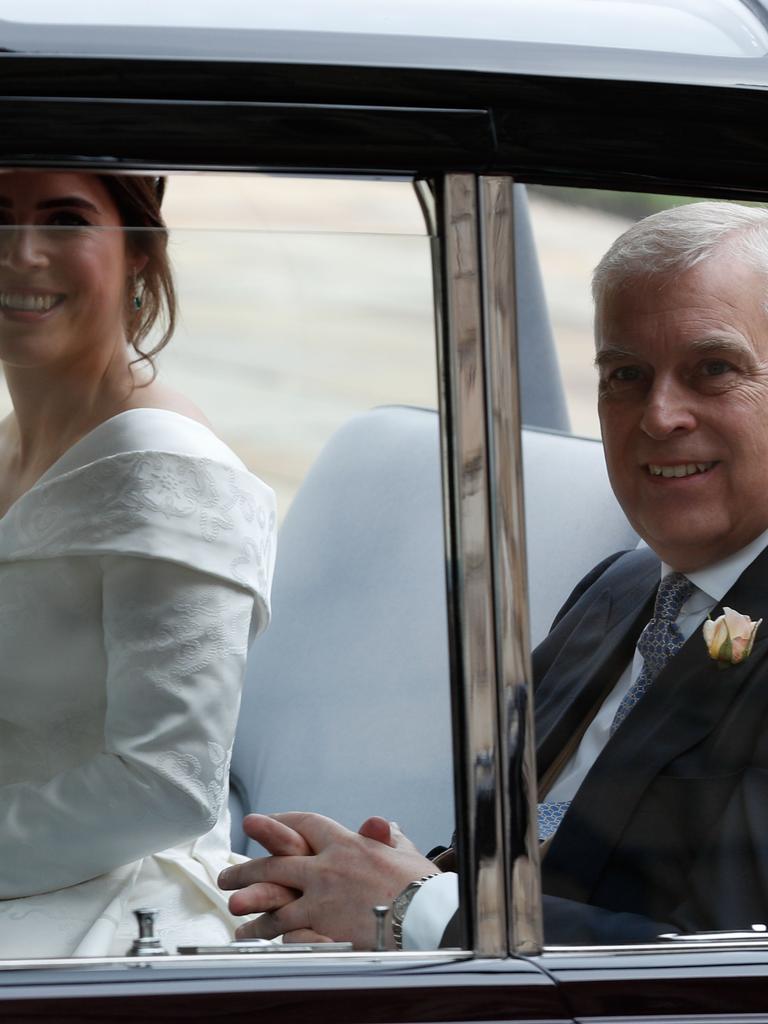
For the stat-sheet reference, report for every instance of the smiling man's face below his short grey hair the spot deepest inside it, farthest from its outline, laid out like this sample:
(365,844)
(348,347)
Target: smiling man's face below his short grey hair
(684,363)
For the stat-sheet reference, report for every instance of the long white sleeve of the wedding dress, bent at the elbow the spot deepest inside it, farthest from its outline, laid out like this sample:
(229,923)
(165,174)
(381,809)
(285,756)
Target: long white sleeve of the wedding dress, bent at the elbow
(176,644)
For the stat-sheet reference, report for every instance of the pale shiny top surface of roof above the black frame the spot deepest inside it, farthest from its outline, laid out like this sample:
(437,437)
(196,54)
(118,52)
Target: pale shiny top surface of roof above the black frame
(484,36)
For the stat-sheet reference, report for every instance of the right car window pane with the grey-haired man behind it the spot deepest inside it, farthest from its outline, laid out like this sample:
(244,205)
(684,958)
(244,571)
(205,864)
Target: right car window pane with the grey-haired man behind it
(651,771)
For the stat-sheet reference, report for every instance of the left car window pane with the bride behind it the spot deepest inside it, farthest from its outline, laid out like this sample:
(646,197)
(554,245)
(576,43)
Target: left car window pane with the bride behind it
(305,357)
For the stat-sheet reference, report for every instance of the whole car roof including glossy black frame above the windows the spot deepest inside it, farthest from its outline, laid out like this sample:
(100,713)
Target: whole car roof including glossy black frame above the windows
(315,101)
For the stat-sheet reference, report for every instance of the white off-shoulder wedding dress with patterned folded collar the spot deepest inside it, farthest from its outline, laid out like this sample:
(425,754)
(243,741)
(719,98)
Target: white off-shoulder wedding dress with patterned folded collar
(133,578)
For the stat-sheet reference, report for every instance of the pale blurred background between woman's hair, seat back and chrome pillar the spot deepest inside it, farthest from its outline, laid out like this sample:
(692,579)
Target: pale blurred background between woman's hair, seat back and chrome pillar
(301,329)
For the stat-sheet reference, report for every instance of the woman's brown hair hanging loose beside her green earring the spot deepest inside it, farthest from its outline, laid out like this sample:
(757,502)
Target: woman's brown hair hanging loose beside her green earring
(139,200)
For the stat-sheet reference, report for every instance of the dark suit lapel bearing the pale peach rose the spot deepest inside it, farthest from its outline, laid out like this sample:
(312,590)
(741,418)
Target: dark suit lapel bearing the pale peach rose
(687,702)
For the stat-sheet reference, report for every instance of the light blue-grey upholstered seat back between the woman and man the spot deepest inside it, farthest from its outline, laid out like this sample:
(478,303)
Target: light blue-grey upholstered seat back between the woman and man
(347,709)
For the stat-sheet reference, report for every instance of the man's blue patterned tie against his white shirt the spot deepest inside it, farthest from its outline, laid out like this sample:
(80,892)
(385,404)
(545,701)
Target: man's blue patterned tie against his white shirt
(659,642)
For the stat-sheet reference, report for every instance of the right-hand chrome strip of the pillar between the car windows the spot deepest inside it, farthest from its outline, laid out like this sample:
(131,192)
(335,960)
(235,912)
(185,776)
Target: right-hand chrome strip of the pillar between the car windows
(510,582)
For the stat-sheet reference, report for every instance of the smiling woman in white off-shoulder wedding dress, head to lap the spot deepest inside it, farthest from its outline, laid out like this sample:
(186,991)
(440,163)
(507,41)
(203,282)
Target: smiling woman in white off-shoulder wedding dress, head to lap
(126,613)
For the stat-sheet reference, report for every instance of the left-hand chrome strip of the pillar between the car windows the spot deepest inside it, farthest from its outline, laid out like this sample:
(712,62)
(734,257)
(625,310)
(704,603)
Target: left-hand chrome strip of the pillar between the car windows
(470,565)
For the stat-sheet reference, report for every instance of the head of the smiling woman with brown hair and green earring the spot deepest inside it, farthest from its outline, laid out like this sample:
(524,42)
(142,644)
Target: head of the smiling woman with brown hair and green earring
(72,226)
